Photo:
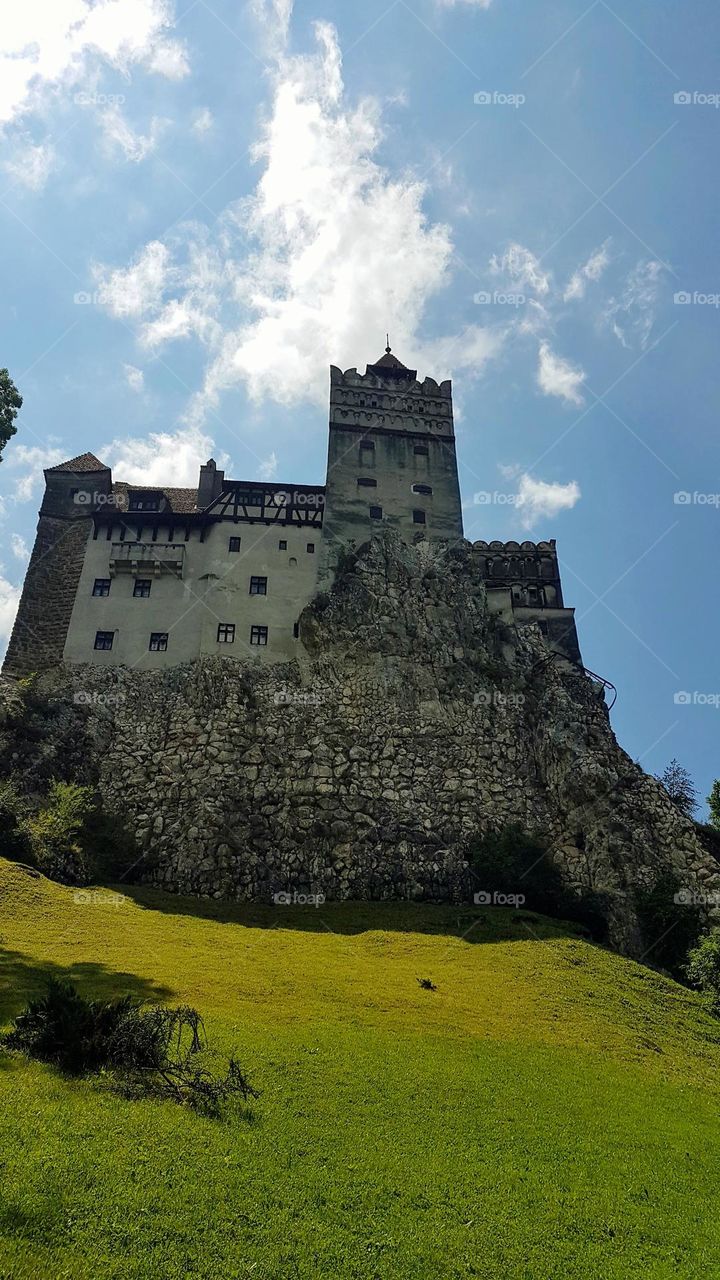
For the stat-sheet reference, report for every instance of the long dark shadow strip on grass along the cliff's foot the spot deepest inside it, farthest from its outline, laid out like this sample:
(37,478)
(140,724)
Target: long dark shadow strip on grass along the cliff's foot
(466,921)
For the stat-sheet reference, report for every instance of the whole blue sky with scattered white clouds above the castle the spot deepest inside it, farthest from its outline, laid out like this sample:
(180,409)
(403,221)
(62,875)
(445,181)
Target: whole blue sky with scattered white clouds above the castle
(203,207)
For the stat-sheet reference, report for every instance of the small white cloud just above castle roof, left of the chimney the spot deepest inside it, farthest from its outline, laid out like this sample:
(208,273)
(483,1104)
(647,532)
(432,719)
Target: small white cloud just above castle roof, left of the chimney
(163,458)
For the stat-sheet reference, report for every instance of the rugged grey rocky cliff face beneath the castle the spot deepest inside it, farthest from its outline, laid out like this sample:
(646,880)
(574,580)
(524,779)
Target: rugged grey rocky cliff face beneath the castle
(413,723)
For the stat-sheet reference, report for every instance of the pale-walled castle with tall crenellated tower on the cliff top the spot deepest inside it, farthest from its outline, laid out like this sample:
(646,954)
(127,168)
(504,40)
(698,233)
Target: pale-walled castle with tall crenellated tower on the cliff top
(149,578)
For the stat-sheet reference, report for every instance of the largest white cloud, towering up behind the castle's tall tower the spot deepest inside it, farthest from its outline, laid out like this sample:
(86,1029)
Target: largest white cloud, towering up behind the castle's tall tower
(297,276)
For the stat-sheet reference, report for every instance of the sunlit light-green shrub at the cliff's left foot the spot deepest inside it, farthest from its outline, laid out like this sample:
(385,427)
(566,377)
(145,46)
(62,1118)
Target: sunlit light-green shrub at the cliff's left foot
(53,833)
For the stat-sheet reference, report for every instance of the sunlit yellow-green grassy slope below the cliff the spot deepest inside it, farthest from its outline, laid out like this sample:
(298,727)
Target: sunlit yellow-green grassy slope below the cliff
(550,1112)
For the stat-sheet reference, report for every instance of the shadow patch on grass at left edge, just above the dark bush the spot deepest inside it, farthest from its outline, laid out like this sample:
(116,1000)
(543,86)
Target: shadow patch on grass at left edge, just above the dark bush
(22,977)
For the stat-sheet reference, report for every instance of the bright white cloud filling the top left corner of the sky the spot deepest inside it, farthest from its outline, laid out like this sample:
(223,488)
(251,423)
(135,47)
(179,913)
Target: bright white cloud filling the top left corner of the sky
(58,45)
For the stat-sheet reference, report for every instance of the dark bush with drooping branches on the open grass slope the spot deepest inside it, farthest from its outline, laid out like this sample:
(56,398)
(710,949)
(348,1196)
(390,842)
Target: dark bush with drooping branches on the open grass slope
(149,1050)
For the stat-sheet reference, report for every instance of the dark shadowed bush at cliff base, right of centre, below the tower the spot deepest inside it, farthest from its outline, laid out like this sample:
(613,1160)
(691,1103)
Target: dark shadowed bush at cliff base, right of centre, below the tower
(514,863)
